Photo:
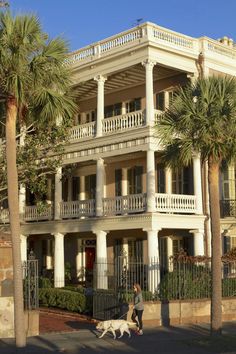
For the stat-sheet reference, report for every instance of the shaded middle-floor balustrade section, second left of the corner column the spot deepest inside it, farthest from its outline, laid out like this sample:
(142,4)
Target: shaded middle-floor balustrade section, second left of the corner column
(77,208)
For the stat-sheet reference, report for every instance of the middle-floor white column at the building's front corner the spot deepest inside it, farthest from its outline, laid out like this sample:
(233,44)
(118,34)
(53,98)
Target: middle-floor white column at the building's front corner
(150,181)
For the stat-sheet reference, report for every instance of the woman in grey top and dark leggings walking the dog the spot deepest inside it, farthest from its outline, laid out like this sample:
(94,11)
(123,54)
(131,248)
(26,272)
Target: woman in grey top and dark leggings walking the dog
(138,308)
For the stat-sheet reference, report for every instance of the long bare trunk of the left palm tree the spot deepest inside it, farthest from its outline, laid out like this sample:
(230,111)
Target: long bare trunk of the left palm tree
(12,184)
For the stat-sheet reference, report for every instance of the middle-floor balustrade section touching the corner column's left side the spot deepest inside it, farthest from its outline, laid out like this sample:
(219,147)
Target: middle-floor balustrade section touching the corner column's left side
(133,203)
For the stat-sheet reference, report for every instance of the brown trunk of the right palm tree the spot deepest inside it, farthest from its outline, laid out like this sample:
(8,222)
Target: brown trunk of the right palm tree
(216,245)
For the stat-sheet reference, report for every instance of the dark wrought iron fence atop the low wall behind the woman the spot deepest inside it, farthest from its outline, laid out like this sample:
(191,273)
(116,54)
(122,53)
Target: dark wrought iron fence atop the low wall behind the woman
(184,278)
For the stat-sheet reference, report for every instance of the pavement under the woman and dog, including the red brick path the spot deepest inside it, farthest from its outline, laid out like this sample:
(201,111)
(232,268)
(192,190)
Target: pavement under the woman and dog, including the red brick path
(60,333)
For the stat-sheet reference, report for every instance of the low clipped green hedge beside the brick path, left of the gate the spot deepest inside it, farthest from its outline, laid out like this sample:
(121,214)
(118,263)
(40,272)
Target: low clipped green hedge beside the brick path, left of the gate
(63,299)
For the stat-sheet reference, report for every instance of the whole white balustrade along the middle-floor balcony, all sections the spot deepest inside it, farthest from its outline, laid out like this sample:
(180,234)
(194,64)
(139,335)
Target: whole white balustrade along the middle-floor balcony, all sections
(125,205)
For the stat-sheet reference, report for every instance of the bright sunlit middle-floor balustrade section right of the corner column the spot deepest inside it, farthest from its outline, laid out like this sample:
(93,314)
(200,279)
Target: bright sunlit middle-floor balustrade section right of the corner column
(175,203)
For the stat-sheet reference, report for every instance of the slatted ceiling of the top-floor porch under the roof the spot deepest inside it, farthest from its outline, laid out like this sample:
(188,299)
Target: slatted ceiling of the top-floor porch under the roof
(133,76)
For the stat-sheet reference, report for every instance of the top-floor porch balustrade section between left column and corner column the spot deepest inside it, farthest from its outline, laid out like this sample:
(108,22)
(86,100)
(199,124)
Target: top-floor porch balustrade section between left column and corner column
(123,122)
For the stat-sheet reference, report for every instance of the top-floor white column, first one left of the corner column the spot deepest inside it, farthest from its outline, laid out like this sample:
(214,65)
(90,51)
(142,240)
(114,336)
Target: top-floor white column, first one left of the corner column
(100,103)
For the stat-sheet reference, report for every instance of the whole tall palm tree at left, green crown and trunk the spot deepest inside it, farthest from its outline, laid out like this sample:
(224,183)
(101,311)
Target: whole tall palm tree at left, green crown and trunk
(33,86)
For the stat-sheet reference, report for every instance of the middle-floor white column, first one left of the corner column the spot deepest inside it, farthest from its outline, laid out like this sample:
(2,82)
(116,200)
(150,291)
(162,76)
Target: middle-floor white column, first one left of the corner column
(99,187)
